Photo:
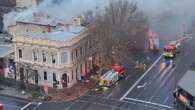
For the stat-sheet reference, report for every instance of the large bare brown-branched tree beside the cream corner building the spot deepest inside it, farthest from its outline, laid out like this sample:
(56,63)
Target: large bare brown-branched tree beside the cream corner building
(120,31)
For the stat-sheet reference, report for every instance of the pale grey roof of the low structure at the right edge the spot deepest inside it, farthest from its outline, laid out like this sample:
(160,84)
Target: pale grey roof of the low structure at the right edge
(187,82)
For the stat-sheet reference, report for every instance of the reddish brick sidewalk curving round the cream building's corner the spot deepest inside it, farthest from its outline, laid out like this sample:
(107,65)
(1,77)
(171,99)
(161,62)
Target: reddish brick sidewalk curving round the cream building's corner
(72,93)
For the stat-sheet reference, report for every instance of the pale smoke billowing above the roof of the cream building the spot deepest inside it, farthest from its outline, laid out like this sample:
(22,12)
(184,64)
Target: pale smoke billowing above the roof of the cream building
(63,10)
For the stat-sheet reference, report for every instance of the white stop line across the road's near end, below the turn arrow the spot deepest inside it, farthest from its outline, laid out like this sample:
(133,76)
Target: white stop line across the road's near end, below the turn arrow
(147,102)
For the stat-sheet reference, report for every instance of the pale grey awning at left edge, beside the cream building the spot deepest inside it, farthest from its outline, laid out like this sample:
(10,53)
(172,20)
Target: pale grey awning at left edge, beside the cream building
(5,50)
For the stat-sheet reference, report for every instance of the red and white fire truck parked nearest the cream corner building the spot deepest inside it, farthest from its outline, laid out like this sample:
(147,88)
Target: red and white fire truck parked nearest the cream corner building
(112,76)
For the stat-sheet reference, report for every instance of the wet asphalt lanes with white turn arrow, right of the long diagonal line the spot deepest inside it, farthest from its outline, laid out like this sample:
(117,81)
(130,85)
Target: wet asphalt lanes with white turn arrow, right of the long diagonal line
(157,87)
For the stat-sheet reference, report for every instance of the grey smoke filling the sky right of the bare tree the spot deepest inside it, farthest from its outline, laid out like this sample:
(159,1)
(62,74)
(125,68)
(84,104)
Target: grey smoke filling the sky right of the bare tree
(169,17)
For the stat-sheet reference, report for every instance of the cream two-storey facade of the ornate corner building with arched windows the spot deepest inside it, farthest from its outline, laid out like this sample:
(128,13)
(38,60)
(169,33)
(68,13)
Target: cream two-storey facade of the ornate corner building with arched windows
(44,61)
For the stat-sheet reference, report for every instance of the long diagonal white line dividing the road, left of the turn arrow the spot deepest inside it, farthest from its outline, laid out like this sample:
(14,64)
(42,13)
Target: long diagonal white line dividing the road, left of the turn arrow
(132,87)
